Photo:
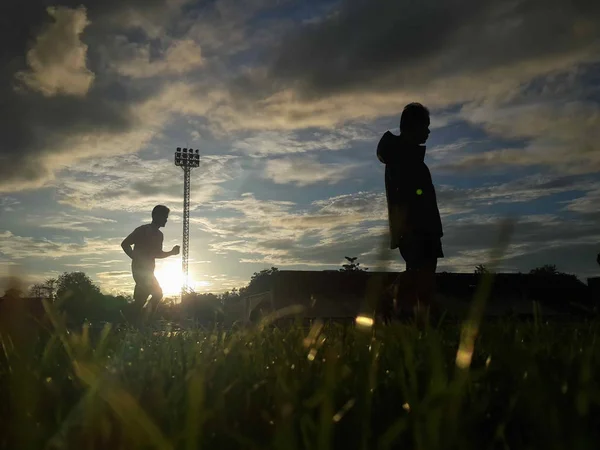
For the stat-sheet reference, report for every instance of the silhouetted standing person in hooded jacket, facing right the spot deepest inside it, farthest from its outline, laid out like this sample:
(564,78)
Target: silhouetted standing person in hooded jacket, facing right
(414,219)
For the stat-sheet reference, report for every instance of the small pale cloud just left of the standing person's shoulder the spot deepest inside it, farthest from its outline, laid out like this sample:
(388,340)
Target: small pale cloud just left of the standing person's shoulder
(306,171)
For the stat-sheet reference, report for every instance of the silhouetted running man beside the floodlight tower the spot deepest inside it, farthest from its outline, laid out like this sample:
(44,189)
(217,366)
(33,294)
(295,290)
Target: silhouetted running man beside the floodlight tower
(147,241)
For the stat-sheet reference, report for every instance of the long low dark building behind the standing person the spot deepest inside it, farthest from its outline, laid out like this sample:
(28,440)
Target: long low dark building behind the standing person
(344,295)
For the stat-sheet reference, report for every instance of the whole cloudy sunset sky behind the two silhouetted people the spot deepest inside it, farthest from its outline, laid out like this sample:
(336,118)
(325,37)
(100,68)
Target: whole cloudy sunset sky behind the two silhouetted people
(286,101)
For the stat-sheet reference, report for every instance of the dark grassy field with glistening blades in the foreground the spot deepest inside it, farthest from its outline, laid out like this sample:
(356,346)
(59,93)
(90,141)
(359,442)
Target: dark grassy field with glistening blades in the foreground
(515,385)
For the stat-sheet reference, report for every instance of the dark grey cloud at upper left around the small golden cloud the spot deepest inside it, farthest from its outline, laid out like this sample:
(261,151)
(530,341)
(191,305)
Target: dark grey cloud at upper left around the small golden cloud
(35,125)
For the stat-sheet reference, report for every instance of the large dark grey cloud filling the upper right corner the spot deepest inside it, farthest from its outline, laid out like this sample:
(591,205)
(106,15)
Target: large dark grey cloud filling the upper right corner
(383,44)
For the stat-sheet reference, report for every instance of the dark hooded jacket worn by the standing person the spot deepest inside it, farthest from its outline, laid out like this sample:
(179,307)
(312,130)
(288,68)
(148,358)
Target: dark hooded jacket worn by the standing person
(411,199)
